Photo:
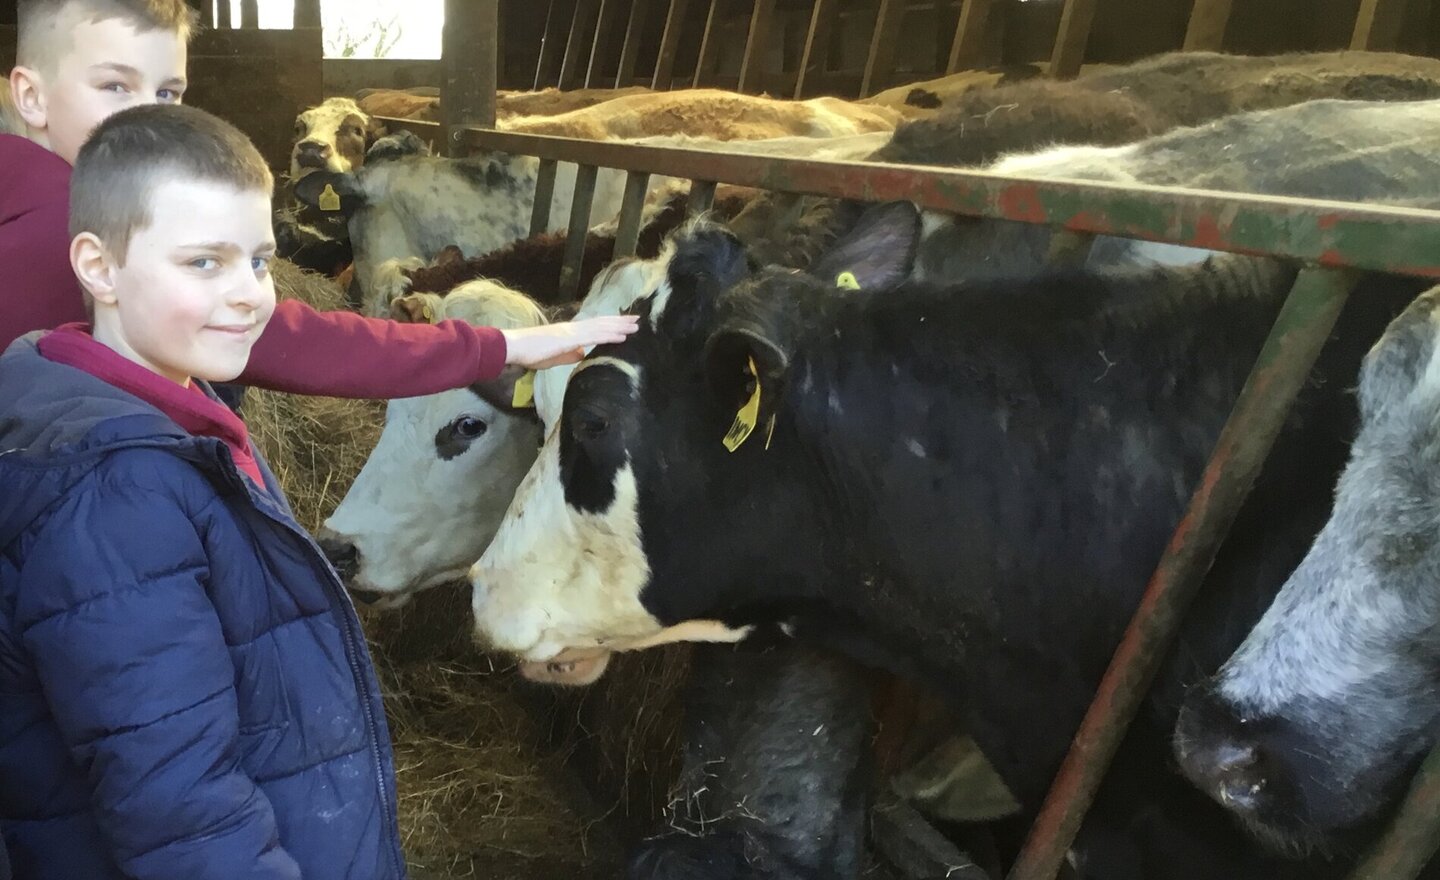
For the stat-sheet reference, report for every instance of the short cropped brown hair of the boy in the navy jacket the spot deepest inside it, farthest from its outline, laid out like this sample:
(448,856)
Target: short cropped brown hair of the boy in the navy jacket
(142,148)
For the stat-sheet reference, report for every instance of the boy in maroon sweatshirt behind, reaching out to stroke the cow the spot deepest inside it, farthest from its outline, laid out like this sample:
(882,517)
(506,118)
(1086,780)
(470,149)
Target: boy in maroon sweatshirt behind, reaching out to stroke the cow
(80,61)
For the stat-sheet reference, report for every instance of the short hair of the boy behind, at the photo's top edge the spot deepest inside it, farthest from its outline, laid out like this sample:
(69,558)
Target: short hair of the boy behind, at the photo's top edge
(41,22)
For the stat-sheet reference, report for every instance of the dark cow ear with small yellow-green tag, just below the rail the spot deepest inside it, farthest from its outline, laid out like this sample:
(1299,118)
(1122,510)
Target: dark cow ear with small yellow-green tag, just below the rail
(879,253)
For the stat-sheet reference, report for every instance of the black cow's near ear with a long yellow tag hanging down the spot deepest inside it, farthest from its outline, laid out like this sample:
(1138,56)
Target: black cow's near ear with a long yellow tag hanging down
(748,361)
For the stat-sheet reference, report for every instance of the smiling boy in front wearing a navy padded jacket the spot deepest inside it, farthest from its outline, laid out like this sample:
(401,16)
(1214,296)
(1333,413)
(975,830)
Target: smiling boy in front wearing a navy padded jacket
(185,691)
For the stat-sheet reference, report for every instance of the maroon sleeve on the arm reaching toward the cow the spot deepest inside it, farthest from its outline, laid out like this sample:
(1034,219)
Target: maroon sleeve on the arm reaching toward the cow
(343,355)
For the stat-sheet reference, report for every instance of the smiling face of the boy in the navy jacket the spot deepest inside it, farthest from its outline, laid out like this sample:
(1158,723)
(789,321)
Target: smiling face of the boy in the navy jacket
(195,292)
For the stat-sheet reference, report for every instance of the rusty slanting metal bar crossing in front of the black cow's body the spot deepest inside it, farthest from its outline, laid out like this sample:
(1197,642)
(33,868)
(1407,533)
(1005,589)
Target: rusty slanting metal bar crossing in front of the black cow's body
(1300,333)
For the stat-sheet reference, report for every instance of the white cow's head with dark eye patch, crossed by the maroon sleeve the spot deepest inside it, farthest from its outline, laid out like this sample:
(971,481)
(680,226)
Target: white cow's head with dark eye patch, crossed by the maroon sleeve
(438,483)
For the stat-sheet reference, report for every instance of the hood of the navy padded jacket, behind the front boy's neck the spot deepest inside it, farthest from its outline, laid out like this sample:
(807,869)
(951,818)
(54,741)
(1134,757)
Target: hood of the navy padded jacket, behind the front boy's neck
(58,423)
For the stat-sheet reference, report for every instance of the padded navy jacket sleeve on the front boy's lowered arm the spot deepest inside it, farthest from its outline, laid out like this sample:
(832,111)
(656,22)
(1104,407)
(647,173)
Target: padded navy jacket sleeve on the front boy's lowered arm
(132,659)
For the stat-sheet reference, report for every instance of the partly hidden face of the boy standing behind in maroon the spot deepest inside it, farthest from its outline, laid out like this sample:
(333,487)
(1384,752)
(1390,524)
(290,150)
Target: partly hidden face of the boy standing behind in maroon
(104,67)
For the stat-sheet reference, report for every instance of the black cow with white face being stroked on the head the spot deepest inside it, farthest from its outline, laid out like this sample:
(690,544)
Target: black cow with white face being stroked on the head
(968,486)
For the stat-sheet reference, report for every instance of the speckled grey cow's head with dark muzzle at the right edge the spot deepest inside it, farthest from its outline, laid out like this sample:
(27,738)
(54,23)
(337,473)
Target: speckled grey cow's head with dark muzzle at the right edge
(1310,732)
